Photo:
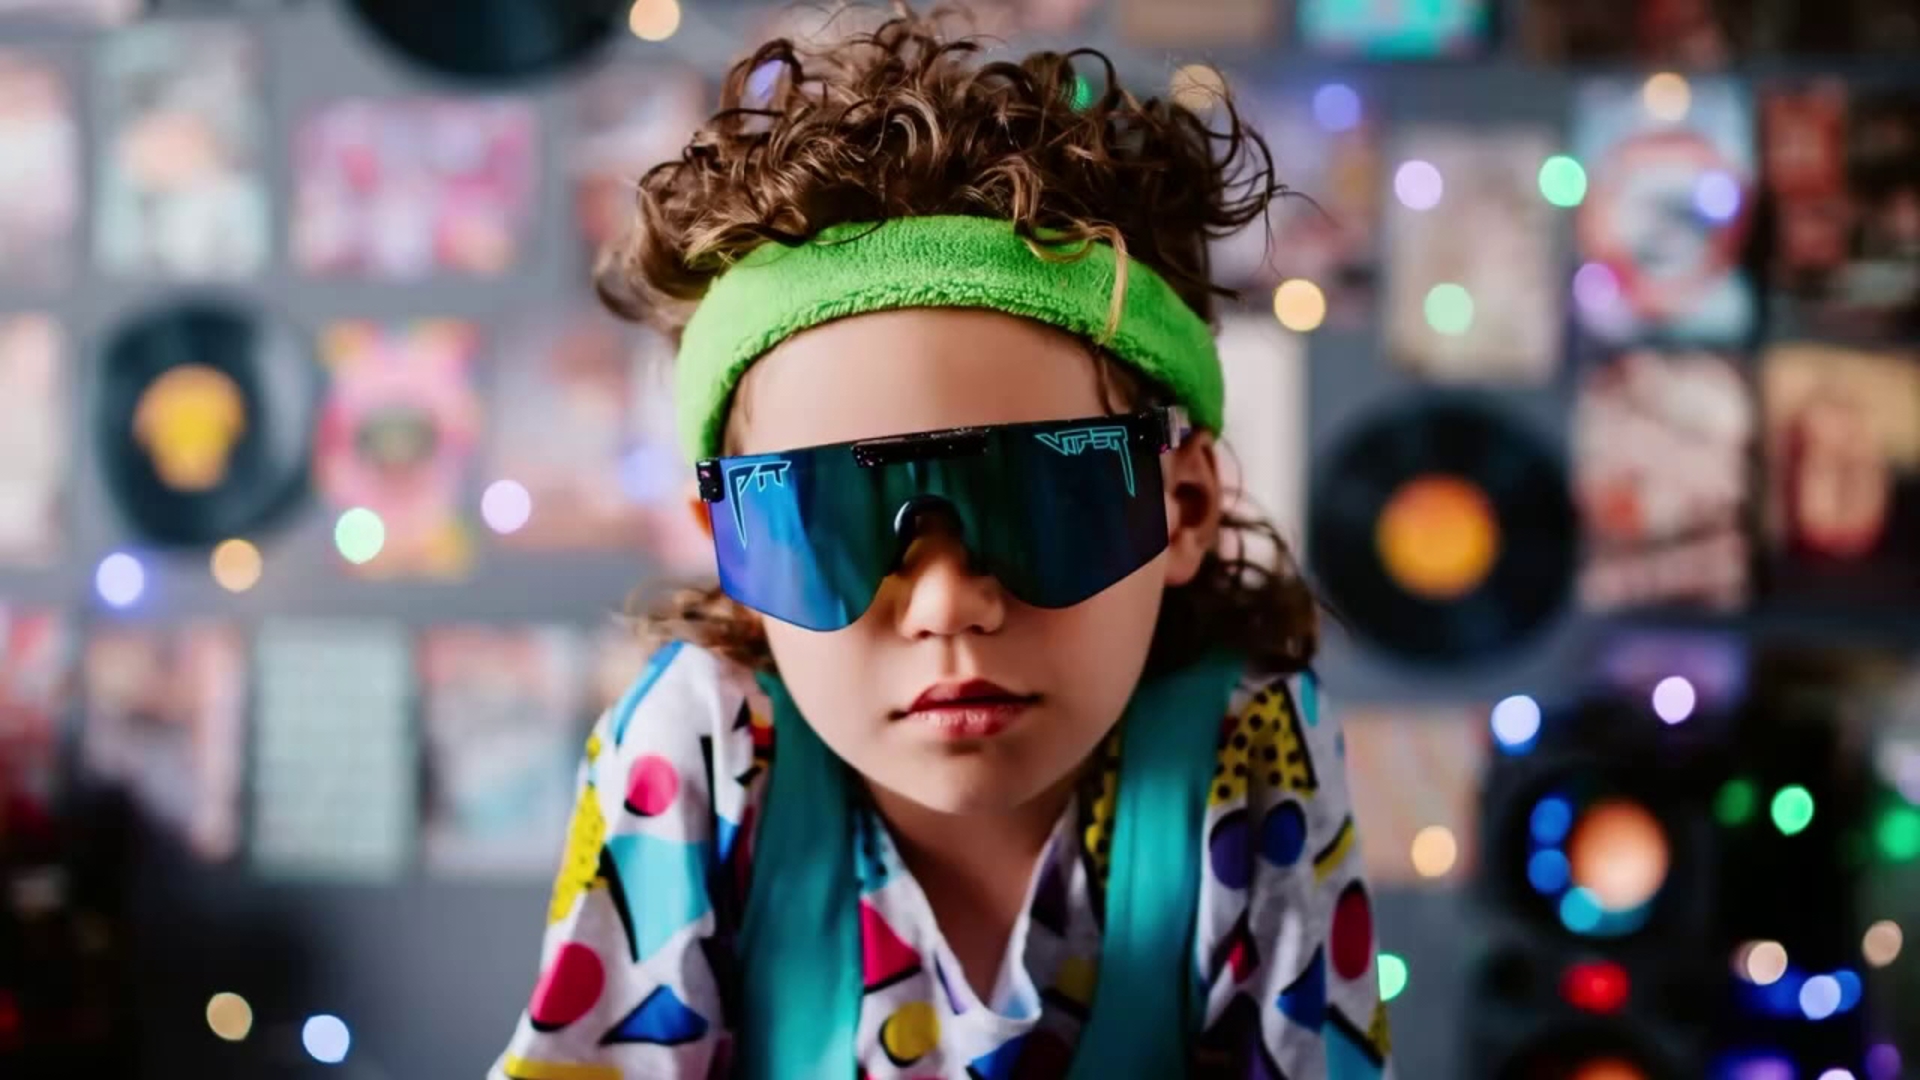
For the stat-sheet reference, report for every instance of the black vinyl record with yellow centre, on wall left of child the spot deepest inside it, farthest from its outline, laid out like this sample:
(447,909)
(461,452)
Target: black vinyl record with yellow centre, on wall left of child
(204,422)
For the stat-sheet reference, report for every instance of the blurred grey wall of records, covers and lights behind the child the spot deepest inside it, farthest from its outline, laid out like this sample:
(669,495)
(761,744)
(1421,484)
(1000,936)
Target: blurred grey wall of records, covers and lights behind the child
(1587,385)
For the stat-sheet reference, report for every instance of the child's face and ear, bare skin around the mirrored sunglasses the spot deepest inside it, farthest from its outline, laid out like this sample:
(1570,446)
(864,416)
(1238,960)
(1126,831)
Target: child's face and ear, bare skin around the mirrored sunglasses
(936,622)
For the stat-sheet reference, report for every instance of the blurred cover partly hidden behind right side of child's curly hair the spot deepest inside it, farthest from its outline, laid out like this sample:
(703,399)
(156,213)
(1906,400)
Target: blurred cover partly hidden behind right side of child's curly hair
(1326,149)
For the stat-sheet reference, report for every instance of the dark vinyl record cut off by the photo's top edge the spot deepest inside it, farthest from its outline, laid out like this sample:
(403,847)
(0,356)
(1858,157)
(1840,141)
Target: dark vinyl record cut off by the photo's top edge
(494,41)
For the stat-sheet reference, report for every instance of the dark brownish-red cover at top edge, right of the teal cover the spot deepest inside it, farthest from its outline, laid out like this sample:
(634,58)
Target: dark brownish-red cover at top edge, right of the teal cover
(1683,34)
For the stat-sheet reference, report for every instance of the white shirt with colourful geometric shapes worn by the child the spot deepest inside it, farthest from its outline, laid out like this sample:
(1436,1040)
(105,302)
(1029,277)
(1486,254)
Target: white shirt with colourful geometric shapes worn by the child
(636,966)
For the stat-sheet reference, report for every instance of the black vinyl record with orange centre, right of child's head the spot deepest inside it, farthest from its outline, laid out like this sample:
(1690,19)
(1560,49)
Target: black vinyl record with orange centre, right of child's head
(1443,531)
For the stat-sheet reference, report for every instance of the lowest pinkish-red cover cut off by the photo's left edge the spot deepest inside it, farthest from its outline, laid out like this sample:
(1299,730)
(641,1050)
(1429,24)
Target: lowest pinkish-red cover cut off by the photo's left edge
(36,691)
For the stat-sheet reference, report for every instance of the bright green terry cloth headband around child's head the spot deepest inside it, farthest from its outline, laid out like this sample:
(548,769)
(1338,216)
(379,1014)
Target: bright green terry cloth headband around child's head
(934,262)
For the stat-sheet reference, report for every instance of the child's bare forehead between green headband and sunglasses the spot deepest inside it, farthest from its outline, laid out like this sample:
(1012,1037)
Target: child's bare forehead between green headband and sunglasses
(915,370)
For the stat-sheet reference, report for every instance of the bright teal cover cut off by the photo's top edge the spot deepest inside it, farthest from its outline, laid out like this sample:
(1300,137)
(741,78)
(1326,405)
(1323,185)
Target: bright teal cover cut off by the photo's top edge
(1401,30)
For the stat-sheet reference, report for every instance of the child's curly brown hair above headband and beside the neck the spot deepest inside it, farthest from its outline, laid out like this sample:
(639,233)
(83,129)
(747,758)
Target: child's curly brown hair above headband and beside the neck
(907,120)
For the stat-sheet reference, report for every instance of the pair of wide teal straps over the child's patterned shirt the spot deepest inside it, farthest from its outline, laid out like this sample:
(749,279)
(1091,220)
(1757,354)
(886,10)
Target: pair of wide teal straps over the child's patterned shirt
(800,939)
